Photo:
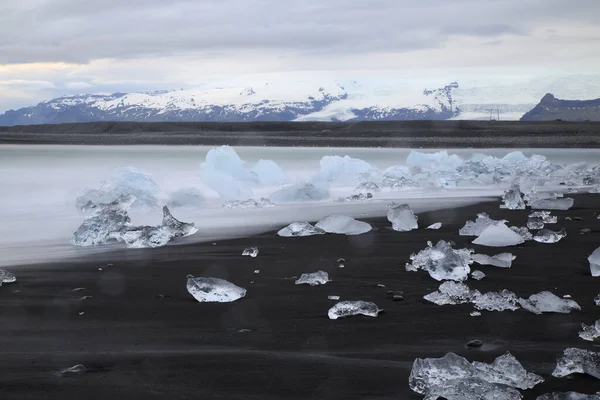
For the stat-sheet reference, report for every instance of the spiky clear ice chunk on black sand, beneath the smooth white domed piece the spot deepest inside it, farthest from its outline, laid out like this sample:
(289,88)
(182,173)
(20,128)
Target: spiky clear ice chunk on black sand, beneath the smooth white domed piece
(442,262)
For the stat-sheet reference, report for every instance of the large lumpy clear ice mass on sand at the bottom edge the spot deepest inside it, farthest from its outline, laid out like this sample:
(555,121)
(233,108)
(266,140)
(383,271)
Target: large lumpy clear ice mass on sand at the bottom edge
(453,377)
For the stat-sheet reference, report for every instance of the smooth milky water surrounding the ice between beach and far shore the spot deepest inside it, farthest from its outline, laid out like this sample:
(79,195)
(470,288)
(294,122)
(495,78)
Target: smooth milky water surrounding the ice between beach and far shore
(41,183)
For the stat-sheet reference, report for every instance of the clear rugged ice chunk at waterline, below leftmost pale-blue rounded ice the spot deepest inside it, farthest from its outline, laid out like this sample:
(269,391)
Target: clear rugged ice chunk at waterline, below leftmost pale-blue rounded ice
(104,223)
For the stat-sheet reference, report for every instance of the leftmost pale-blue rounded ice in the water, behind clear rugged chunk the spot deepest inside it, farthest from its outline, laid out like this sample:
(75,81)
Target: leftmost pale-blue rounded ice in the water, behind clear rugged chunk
(126,181)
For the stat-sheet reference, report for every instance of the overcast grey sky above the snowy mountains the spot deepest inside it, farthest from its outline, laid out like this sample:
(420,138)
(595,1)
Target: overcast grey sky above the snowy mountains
(50,48)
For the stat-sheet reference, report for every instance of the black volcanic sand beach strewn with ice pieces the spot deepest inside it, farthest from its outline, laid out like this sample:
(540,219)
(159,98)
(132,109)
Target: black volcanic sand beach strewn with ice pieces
(139,345)
